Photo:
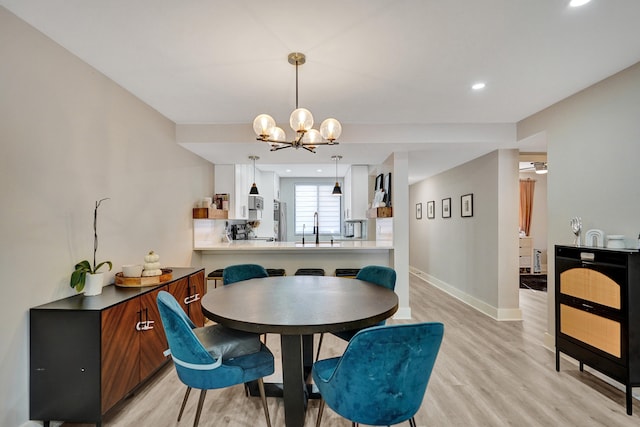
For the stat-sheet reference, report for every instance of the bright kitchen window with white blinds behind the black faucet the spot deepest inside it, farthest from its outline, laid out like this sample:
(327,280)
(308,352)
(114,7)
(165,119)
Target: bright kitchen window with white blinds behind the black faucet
(312,198)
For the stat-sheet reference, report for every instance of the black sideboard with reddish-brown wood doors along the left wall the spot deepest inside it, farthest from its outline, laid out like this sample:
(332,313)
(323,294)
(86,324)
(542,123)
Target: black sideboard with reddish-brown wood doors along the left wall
(88,353)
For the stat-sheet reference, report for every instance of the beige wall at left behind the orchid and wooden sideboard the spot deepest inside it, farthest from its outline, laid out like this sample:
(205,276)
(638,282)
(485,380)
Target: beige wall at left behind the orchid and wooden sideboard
(71,136)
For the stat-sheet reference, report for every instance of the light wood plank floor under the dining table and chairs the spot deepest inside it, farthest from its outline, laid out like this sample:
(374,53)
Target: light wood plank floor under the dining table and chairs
(488,373)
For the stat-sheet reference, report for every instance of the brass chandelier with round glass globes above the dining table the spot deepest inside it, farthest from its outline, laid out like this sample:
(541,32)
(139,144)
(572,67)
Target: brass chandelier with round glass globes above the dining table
(301,121)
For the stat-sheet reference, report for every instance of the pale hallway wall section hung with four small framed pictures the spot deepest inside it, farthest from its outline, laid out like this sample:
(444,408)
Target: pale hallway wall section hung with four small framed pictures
(475,259)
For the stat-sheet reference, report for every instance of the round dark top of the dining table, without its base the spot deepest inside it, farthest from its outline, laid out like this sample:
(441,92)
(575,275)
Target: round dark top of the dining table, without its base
(299,305)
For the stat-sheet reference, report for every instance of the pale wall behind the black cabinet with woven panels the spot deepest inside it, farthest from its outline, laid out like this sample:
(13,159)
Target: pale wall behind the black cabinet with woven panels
(593,147)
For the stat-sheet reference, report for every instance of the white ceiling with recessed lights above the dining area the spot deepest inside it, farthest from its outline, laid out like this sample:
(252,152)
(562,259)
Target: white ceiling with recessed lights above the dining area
(396,73)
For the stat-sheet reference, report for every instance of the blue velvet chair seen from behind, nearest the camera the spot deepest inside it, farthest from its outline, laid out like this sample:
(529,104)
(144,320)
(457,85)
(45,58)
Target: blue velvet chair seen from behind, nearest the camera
(382,376)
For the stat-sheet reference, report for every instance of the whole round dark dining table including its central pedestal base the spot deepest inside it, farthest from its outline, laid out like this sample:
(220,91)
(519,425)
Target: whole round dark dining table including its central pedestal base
(296,307)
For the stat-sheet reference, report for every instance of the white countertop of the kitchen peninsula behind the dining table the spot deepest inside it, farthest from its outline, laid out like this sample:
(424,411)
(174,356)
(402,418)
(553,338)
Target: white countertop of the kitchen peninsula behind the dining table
(310,245)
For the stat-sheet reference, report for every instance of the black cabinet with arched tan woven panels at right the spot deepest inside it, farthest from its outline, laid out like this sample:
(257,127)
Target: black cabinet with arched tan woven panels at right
(597,307)
